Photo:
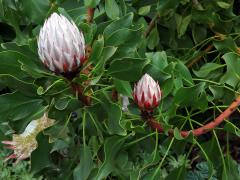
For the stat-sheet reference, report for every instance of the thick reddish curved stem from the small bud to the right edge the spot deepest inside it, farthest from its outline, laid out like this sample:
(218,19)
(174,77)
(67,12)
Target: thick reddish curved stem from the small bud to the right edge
(202,130)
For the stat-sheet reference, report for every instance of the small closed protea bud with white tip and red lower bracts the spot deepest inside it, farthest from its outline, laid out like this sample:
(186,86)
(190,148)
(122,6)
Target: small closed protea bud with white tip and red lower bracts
(147,93)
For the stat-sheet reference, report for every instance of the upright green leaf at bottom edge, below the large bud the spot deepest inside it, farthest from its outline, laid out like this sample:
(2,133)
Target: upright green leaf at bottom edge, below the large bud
(85,166)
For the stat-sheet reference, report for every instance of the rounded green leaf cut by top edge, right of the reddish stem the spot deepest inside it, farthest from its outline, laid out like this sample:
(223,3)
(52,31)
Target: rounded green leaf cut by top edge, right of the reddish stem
(112,9)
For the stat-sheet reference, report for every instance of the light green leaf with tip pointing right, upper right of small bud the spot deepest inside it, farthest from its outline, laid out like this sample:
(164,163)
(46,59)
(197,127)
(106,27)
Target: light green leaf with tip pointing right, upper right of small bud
(206,69)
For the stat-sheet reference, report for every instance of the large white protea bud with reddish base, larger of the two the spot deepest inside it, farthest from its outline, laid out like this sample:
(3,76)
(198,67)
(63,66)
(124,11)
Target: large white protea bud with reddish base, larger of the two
(61,46)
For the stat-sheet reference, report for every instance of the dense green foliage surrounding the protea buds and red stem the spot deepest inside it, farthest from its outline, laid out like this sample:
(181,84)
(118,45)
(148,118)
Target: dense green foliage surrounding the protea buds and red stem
(189,46)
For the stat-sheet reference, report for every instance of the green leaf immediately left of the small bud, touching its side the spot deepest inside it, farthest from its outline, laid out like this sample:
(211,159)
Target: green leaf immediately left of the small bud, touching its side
(123,87)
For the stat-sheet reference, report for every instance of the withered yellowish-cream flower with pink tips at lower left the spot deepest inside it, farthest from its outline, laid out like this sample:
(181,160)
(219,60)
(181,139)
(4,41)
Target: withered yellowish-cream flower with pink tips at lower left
(24,144)
